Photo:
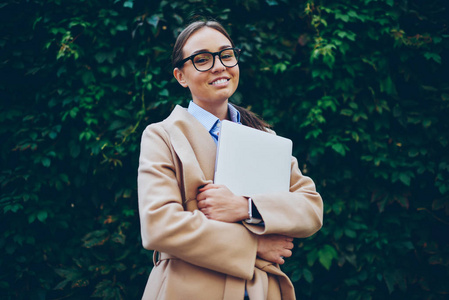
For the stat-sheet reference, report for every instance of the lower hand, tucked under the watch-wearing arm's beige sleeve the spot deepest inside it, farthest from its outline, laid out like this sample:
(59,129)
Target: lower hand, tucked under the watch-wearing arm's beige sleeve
(274,248)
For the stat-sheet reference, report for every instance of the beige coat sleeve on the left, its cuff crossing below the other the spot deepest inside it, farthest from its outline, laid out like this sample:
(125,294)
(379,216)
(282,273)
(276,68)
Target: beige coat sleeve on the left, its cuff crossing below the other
(227,248)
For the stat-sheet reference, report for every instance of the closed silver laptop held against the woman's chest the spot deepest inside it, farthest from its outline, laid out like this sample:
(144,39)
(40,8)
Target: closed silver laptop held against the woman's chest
(250,161)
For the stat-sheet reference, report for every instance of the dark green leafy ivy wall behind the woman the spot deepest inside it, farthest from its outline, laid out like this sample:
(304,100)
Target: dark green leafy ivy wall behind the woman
(362,87)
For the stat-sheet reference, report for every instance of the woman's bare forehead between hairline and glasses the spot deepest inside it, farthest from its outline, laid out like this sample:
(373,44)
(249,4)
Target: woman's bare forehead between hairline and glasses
(206,38)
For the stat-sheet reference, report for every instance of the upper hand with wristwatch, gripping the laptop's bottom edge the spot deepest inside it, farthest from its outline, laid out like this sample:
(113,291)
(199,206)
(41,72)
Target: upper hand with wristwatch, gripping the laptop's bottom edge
(218,203)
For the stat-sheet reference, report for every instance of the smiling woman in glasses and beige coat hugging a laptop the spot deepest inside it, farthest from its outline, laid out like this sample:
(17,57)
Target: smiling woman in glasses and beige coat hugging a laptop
(205,247)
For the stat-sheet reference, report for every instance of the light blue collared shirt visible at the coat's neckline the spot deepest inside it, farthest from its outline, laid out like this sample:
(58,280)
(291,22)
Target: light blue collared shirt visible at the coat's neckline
(211,122)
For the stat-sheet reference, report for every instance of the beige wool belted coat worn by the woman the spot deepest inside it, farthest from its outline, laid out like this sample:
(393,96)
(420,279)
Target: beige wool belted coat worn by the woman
(202,259)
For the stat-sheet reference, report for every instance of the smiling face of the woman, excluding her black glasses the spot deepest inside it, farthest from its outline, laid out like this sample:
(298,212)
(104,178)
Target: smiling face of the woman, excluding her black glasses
(212,88)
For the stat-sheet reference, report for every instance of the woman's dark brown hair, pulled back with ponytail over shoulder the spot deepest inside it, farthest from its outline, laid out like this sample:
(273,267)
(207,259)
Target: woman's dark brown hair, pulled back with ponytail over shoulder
(247,117)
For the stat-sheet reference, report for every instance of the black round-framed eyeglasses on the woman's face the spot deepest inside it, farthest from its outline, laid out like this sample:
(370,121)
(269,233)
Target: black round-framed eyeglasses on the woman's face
(204,61)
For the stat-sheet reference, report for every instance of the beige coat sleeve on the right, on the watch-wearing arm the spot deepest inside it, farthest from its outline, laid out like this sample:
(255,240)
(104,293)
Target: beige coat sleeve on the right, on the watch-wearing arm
(297,213)
